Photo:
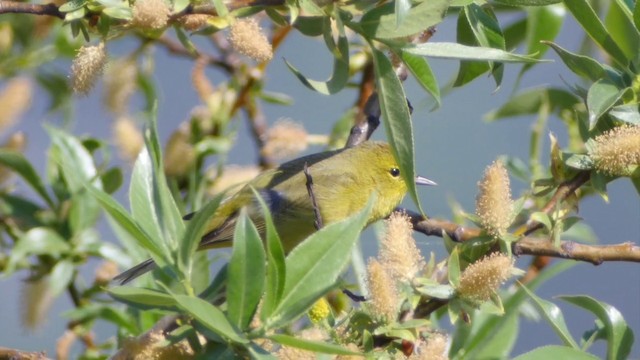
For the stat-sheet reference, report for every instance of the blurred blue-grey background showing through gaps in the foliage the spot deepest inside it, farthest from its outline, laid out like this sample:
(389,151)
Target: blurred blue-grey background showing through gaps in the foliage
(453,146)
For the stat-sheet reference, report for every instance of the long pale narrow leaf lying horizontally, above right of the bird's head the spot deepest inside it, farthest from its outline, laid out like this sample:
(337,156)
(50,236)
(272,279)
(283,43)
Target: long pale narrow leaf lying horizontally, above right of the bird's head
(456,51)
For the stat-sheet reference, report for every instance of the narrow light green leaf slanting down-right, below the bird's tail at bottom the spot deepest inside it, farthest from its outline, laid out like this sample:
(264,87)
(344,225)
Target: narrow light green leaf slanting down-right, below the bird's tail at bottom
(210,317)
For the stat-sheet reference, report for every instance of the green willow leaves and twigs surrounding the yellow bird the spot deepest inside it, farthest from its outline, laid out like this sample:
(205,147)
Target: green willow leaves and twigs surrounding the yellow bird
(257,304)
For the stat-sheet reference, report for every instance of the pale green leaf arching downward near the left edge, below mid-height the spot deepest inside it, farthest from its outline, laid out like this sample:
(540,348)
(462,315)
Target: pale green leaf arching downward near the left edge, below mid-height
(37,241)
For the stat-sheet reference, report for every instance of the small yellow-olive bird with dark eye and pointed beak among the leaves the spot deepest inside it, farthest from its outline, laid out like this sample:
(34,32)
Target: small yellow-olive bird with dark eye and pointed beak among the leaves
(343,182)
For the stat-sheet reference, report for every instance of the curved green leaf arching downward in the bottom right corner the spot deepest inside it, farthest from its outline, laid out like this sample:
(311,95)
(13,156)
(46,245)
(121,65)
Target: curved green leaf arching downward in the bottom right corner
(619,334)
